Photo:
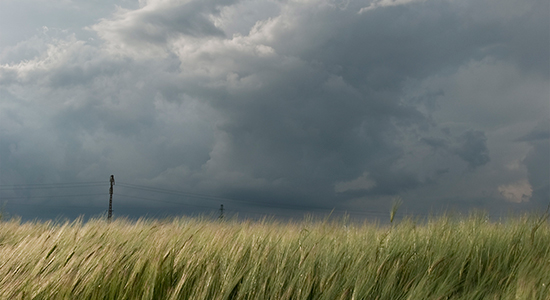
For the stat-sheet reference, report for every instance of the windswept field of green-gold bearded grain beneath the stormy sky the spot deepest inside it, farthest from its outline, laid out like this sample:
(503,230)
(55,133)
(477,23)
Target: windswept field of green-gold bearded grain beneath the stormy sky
(193,258)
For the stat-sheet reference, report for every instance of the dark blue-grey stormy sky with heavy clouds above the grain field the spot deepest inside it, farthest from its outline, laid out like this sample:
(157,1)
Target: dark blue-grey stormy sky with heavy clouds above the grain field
(274,107)
